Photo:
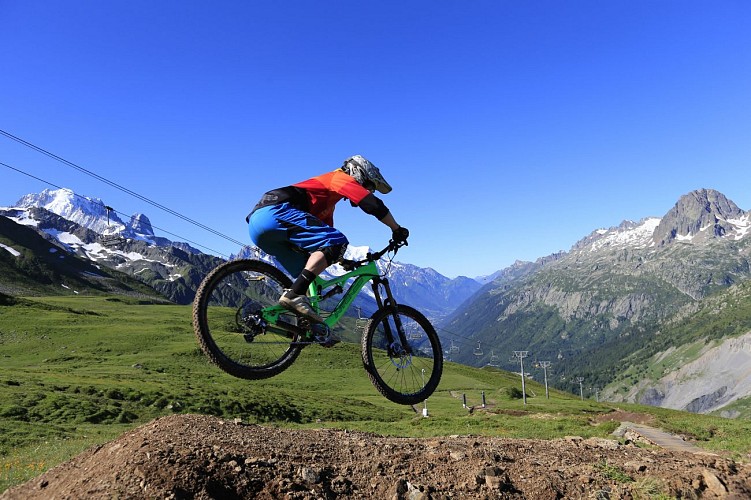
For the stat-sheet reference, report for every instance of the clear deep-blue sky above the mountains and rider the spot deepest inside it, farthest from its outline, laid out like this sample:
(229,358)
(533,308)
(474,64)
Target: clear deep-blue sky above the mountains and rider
(508,129)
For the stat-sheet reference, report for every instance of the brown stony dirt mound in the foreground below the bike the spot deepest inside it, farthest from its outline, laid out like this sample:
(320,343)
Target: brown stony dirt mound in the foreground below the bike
(191,456)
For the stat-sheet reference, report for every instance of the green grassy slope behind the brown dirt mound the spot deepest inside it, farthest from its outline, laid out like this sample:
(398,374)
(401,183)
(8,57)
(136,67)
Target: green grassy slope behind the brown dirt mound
(78,371)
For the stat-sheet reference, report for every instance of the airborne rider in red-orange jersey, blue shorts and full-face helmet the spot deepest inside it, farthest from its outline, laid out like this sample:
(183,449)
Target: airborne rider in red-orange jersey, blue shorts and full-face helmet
(295,224)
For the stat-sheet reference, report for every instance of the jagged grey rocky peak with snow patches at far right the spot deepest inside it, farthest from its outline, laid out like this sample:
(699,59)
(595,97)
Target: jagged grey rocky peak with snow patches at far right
(702,211)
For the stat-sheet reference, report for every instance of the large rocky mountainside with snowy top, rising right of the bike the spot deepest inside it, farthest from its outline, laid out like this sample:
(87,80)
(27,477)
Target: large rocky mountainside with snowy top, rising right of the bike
(583,309)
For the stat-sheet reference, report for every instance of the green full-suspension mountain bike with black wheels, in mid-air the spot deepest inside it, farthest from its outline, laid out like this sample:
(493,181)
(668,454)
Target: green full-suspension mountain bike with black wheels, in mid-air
(242,328)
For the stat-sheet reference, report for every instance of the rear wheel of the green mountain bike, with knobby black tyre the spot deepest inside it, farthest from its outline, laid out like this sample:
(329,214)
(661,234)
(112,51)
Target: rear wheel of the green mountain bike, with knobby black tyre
(229,328)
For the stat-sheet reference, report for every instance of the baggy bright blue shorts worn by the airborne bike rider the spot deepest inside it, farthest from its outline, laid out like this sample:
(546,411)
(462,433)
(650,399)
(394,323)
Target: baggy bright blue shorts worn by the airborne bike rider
(291,235)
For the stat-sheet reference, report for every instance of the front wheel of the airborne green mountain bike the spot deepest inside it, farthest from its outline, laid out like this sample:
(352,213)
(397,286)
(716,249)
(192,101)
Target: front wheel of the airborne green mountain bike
(402,355)
